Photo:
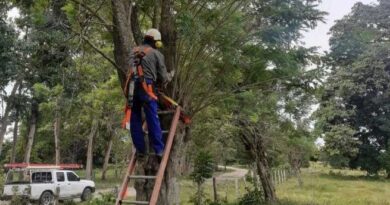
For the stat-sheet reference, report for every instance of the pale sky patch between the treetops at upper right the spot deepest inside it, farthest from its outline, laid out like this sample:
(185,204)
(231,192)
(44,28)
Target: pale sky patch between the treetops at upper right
(337,9)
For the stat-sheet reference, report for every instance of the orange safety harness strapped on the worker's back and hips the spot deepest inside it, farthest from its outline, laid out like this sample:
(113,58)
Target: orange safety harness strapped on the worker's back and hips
(136,73)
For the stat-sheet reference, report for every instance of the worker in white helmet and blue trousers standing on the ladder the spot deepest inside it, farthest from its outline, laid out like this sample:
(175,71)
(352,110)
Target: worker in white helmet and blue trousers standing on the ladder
(153,73)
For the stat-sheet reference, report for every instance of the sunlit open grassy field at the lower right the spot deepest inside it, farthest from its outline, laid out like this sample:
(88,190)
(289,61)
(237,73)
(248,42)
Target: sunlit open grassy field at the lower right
(323,186)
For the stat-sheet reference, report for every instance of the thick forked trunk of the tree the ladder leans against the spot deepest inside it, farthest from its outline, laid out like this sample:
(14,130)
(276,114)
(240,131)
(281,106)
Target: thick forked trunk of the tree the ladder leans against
(123,41)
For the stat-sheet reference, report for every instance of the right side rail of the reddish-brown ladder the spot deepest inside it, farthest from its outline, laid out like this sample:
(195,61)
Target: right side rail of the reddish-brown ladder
(164,161)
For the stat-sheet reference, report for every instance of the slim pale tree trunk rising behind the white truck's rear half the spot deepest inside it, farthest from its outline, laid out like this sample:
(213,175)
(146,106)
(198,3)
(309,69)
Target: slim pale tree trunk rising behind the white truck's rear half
(32,130)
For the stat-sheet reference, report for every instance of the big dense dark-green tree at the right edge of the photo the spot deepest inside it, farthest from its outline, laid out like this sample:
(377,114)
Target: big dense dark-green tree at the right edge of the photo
(354,105)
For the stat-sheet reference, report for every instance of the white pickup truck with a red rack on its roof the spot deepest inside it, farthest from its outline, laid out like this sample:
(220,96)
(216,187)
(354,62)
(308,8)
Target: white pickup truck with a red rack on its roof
(44,184)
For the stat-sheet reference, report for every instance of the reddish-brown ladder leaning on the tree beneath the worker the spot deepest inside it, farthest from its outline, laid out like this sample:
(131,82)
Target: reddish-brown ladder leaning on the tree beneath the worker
(160,173)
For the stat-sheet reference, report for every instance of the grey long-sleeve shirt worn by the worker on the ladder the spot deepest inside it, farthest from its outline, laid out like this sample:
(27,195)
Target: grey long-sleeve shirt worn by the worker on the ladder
(153,65)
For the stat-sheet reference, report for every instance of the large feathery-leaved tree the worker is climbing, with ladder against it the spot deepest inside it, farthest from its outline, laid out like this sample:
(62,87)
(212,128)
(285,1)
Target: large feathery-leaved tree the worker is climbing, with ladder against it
(204,42)
